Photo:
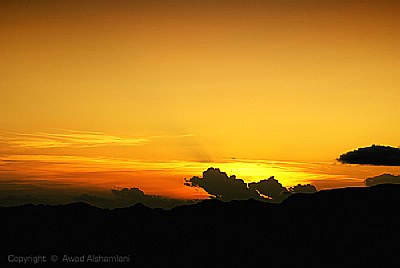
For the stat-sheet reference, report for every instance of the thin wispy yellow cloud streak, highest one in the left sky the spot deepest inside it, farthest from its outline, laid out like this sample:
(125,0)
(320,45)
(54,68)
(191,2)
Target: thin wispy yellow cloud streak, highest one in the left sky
(70,139)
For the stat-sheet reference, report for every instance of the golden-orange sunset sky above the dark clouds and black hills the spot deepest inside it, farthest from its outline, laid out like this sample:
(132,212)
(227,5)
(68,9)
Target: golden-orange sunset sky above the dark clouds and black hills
(96,94)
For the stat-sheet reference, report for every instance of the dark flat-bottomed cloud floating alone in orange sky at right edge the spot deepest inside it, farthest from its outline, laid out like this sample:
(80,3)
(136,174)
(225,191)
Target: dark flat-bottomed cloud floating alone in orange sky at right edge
(374,155)
